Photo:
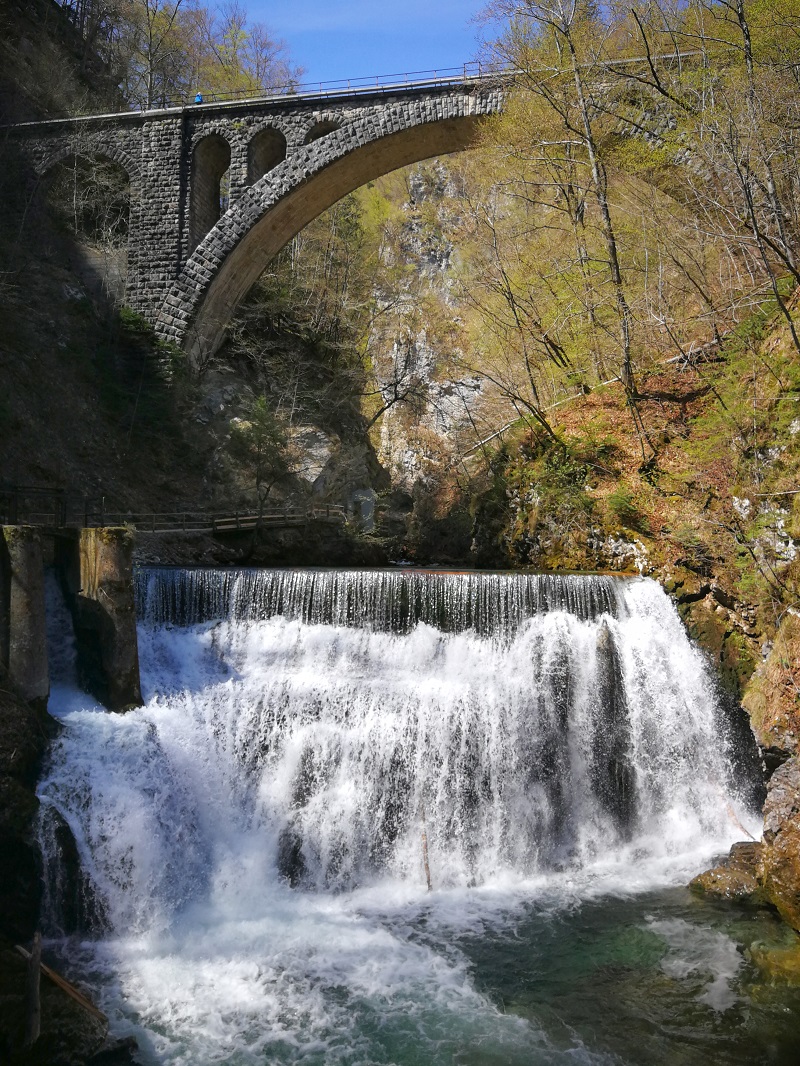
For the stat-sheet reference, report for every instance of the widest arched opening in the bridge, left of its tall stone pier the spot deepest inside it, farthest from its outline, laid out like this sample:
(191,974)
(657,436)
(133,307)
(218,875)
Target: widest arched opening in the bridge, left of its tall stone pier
(91,199)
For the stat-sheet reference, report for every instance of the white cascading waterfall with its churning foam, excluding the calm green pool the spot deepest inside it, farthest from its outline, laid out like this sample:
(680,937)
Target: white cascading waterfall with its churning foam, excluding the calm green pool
(301,726)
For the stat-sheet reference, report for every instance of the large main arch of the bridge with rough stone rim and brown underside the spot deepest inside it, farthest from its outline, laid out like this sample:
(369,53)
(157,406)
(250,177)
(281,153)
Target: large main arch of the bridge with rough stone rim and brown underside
(232,257)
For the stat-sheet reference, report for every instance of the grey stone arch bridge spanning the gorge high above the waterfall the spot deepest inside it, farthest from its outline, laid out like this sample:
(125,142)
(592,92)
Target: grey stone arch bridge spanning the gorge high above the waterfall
(289,159)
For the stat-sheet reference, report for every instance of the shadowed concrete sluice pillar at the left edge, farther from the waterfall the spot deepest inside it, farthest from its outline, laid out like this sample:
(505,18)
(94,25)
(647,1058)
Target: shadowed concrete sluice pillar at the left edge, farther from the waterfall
(23,623)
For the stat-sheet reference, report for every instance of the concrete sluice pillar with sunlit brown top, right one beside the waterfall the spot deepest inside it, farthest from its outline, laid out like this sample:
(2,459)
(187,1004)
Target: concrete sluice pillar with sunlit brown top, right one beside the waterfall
(97,573)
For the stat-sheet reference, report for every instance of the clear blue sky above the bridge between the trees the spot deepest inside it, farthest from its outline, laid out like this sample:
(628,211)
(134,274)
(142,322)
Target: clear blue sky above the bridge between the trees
(354,39)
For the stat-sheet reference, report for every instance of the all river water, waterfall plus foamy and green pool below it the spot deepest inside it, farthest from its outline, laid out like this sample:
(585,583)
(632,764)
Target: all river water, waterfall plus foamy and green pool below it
(257,841)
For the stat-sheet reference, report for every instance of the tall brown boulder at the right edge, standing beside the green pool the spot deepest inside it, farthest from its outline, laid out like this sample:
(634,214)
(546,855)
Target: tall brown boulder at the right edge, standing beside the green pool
(779,866)
